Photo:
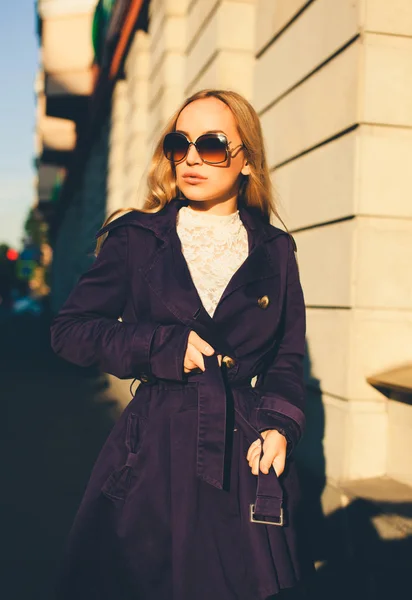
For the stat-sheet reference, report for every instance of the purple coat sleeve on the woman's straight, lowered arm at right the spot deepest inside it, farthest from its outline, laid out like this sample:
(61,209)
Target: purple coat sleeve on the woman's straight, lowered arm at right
(281,387)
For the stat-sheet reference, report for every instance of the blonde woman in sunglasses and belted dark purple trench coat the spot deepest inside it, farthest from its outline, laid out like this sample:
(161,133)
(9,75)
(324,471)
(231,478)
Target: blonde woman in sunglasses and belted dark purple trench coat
(195,494)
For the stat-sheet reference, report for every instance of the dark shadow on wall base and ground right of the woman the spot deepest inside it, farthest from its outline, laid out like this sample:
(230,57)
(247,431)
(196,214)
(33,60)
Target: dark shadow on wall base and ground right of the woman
(354,561)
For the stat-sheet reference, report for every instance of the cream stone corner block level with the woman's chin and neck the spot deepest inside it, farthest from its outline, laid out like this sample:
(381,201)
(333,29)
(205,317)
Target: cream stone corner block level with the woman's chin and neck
(364,172)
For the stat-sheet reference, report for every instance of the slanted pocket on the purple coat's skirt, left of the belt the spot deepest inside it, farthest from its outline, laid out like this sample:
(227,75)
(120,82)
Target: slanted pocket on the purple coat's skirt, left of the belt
(118,484)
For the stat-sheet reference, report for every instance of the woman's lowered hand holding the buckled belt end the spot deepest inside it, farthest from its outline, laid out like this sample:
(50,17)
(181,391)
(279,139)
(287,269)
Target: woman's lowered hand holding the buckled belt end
(274,453)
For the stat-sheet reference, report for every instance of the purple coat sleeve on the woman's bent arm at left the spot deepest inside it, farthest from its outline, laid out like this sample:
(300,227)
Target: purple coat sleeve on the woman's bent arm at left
(87,330)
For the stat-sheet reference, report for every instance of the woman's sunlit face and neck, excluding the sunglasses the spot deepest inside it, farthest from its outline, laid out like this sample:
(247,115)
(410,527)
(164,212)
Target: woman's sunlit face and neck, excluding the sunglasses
(221,182)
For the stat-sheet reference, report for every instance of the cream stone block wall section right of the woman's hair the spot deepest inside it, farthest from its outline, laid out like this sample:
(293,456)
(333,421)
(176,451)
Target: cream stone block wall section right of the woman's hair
(336,112)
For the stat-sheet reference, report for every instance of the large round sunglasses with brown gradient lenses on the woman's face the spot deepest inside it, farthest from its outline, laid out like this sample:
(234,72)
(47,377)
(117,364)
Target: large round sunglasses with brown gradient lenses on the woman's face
(213,148)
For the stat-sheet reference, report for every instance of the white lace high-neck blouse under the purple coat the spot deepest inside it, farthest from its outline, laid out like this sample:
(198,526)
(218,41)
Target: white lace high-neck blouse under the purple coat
(214,247)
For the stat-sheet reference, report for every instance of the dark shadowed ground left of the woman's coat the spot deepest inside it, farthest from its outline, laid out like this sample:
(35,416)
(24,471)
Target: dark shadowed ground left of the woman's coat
(54,419)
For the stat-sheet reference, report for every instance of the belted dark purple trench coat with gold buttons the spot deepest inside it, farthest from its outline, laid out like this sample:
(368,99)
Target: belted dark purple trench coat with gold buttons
(172,510)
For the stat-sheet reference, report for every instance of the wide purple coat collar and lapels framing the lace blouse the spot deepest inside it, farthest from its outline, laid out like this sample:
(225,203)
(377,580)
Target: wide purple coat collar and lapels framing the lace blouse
(169,277)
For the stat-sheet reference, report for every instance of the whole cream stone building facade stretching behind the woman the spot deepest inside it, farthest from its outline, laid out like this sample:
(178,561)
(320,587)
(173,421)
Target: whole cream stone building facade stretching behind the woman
(331,83)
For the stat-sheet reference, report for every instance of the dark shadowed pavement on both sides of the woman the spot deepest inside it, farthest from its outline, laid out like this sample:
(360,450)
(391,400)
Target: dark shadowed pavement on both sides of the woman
(54,420)
